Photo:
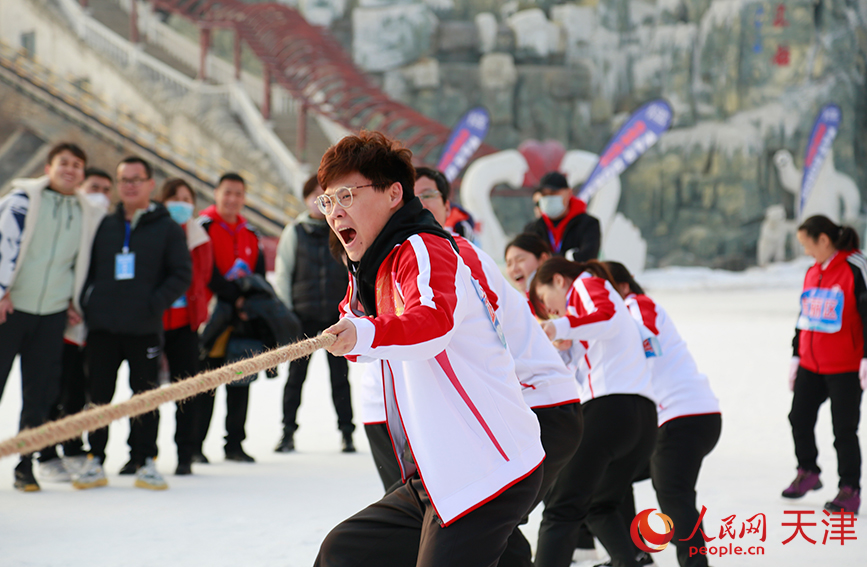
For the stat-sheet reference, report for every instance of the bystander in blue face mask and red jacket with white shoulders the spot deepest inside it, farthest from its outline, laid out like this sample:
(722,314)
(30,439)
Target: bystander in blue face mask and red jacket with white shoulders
(181,321)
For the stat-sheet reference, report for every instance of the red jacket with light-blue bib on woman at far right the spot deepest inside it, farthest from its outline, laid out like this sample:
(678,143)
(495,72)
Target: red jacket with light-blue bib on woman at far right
(830,333)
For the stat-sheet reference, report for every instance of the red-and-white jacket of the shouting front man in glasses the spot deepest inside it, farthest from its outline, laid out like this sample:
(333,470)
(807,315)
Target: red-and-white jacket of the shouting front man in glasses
(454,406)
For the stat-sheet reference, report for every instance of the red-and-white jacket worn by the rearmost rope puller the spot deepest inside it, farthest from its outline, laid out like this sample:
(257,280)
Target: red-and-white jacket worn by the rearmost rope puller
(680,389)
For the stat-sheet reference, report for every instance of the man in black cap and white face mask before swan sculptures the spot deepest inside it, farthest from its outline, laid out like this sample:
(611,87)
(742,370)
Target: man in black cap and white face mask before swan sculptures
(563,221)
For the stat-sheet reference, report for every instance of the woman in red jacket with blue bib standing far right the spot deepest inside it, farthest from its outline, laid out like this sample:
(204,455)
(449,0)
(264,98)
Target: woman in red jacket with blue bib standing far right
(829,359)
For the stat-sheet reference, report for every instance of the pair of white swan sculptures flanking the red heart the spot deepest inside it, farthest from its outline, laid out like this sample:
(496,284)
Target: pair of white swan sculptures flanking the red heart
(621,240)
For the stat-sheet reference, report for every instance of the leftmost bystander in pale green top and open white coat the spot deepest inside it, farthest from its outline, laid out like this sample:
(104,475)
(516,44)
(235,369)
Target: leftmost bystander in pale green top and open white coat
(46,231)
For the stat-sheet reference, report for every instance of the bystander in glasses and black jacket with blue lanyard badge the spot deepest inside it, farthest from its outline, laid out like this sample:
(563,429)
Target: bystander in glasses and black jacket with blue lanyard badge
(140,265)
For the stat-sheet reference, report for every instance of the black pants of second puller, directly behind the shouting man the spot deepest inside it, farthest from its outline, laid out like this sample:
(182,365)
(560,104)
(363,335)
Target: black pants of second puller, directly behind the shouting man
(561,430)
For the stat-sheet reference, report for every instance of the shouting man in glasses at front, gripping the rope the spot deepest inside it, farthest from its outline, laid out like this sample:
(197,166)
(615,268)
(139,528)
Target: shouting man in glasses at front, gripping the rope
(467,444)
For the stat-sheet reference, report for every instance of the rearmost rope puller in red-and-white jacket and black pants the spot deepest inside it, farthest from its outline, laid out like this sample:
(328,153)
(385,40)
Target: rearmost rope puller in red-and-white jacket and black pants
(689,415)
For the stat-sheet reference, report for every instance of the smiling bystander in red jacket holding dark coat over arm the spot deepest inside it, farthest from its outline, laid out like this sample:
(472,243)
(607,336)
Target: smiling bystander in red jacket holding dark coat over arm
(236,253)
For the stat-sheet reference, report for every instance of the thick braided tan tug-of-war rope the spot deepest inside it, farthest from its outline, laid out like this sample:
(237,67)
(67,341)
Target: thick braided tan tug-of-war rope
(55,432)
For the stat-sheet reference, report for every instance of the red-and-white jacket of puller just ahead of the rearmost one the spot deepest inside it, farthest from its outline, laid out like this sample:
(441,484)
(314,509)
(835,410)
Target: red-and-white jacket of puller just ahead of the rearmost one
(614,362)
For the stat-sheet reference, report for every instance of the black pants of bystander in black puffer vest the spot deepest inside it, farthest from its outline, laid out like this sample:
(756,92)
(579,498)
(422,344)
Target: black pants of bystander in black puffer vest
(339,383)
